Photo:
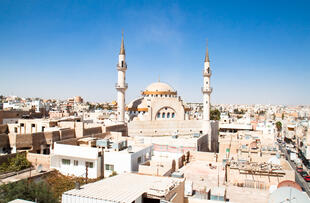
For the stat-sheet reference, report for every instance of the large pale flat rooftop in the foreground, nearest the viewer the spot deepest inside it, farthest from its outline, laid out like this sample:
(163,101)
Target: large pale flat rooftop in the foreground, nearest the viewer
(125,188)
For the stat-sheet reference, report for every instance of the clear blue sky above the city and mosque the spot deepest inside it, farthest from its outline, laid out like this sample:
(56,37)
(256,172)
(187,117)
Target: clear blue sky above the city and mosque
(259,50)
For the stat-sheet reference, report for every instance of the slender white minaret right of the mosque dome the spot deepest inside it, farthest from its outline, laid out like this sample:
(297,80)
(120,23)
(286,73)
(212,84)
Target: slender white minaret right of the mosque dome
(206,90)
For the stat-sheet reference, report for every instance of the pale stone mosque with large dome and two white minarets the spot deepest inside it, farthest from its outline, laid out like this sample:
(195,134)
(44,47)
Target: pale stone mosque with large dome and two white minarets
(160,111)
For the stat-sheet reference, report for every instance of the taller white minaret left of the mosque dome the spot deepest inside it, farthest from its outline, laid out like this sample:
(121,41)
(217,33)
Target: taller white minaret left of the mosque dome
(121,86)
